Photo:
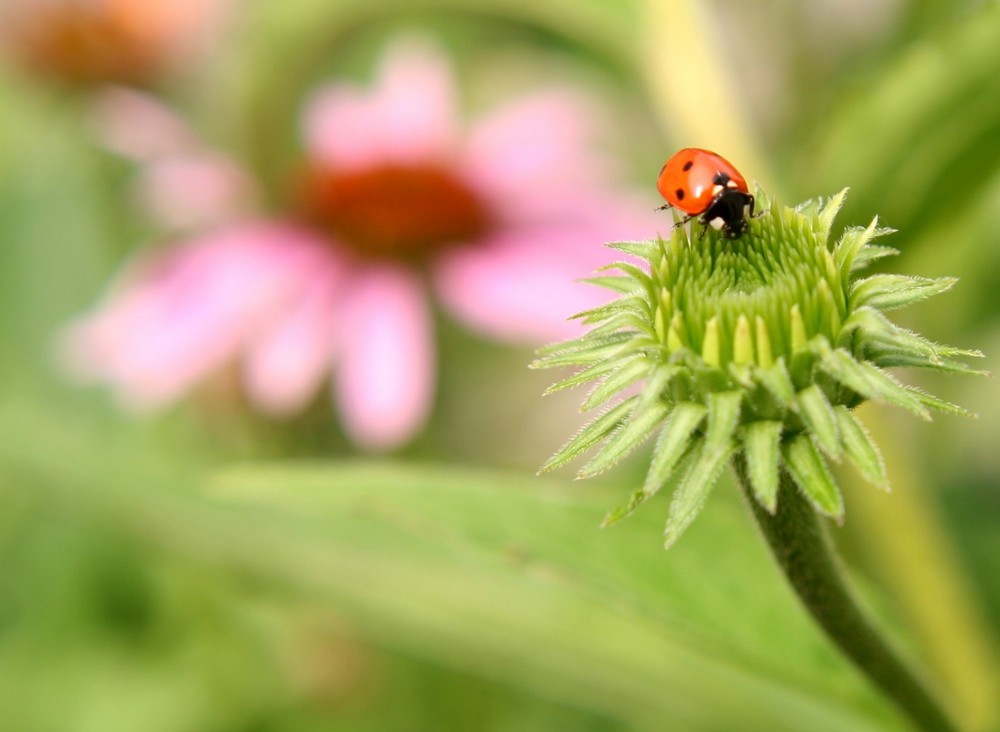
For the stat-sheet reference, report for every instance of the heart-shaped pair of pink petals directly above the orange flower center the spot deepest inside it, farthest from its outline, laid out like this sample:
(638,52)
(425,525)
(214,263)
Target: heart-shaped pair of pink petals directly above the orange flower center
(408,117)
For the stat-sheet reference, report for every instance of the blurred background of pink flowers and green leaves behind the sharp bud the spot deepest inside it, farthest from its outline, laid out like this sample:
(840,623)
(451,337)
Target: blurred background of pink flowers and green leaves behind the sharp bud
(201,544)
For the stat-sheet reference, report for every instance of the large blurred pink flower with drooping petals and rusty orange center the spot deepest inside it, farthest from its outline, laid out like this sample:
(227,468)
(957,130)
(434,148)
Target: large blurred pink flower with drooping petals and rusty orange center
(393,201)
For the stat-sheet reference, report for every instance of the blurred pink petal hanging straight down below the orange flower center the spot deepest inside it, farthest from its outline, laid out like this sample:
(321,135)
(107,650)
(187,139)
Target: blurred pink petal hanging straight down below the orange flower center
(385,381)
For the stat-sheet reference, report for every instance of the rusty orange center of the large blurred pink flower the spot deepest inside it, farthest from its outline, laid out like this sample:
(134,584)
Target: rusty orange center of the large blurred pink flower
(394,210)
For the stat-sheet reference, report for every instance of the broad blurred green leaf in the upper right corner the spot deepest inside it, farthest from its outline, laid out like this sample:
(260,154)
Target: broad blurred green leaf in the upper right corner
(917,140)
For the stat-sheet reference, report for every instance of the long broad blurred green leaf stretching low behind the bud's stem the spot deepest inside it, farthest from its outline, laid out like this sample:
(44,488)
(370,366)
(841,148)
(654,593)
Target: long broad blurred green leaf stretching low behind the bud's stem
(497,574)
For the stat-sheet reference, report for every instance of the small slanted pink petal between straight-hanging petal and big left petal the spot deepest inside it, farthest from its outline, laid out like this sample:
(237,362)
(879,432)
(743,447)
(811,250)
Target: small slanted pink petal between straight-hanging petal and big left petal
(286,365)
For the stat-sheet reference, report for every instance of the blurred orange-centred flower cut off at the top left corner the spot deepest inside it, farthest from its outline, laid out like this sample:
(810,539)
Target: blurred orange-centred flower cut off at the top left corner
(106,41)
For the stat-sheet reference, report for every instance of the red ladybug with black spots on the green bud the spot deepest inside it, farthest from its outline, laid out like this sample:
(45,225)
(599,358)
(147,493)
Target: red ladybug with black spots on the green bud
(704,184)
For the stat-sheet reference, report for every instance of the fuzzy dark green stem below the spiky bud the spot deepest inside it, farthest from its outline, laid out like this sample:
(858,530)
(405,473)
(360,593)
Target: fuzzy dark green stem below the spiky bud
(806,556)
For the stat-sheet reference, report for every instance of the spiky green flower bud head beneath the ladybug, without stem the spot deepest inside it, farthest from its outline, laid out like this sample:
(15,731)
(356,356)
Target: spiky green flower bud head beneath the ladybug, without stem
(757,347)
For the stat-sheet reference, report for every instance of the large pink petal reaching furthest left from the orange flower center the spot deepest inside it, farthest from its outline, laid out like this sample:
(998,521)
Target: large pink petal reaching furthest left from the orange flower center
(176,318)
